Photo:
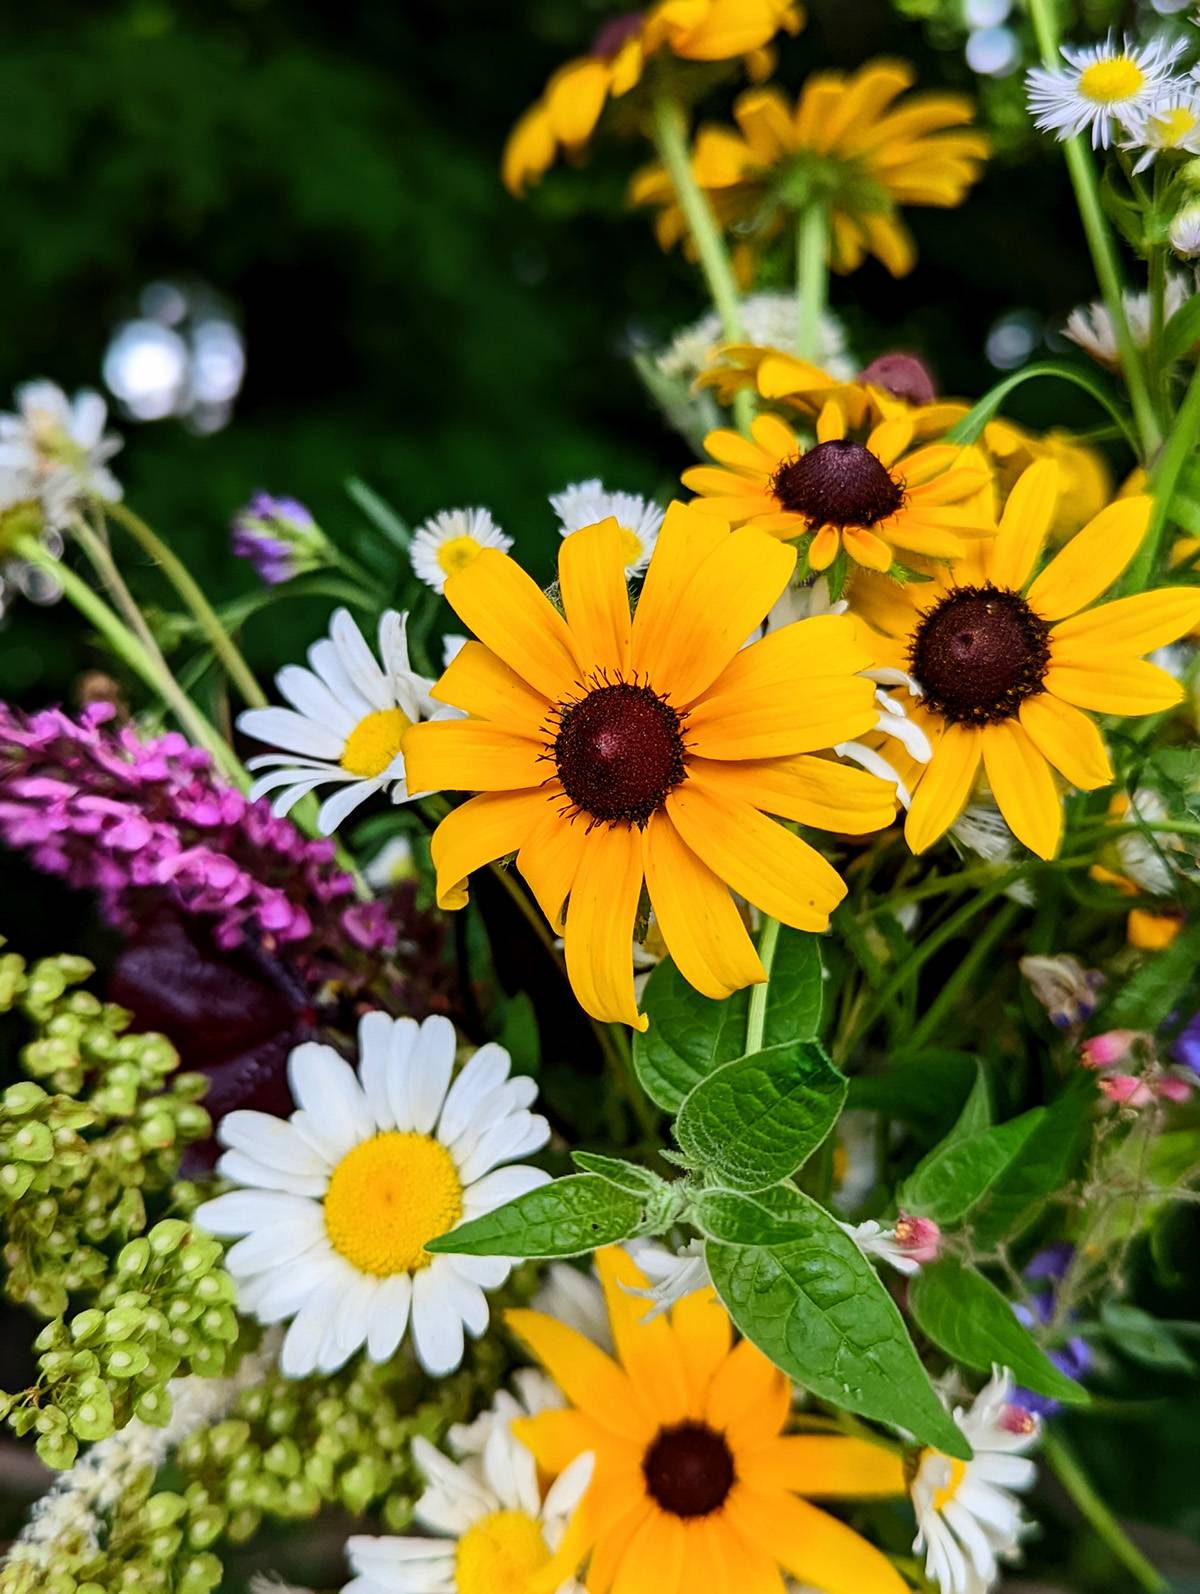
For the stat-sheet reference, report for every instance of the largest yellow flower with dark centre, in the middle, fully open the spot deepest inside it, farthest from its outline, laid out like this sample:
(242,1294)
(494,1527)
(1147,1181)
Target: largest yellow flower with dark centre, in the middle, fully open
(614,752)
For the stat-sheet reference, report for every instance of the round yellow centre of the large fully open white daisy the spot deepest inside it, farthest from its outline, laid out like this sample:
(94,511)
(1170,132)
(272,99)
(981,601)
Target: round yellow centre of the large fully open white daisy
(388,1199)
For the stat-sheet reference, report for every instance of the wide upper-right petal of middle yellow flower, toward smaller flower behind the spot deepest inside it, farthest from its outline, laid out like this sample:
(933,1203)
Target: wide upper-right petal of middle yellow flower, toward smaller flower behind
(726,597)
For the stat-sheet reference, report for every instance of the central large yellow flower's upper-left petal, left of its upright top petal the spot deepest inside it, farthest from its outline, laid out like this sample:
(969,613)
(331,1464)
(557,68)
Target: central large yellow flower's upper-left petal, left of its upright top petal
(511,613)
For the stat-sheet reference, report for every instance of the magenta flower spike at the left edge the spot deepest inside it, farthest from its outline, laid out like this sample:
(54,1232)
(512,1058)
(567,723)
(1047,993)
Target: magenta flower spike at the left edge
(149,822)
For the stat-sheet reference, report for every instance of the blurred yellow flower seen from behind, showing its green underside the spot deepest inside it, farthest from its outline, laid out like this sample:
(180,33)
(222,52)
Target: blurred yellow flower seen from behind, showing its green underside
(844,144)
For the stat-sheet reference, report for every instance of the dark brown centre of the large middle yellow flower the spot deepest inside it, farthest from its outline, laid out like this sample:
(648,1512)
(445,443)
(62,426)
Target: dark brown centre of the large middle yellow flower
(619,752)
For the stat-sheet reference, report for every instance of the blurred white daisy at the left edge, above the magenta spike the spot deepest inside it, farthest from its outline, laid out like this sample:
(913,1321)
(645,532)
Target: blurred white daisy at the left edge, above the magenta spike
(58,449)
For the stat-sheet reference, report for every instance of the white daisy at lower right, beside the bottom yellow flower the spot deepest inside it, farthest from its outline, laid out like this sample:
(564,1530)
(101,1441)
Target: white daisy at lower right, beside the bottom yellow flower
(968,1520)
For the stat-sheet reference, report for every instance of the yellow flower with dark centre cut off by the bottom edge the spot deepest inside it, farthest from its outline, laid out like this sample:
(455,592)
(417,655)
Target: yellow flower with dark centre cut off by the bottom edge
(696,1483)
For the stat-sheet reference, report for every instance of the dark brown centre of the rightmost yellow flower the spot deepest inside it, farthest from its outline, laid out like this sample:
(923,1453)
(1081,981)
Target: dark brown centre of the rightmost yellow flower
(979,654)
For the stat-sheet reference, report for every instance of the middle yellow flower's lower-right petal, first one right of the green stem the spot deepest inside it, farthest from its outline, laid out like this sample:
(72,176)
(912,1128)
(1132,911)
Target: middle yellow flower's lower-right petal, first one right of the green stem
(756,857)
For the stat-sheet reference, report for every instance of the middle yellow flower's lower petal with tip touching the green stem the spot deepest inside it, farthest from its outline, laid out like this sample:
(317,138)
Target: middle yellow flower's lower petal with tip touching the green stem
(697,916)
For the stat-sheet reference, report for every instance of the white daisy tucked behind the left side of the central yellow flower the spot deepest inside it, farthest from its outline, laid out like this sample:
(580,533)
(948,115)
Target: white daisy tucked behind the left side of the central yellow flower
(347,723)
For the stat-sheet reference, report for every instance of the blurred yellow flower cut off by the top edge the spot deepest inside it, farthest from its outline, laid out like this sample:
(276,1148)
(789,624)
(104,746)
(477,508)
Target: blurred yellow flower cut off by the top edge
(567,116)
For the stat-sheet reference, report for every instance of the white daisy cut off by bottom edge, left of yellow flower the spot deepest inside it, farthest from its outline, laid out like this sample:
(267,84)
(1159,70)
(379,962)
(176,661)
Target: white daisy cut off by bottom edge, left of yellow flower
(498,1533)
